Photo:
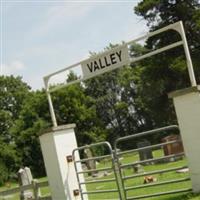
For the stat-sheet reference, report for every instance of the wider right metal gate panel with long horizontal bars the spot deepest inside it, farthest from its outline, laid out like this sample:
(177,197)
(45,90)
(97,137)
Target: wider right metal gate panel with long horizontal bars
(139,176)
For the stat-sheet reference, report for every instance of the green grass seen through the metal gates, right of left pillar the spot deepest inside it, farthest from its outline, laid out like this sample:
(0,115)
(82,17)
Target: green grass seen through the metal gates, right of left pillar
(131,158)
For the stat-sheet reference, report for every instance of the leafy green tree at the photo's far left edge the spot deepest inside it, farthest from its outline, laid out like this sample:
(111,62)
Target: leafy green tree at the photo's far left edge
(13,93)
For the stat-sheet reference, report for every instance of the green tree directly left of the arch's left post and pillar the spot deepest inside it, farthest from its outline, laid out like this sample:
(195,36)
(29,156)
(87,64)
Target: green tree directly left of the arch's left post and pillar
(33,119)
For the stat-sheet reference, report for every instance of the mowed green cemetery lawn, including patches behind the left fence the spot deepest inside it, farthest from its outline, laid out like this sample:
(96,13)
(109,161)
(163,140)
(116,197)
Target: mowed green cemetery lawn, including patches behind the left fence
(130,158)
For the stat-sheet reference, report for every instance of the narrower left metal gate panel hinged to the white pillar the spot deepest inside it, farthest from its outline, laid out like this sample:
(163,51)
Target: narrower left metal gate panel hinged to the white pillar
(108,170)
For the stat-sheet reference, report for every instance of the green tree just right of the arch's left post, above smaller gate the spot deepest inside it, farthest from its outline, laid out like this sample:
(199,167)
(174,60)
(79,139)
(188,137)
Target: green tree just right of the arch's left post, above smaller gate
(72,105)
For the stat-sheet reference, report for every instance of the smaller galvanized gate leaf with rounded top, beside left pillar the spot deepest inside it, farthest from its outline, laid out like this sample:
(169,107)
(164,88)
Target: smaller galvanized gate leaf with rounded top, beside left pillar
(109,157)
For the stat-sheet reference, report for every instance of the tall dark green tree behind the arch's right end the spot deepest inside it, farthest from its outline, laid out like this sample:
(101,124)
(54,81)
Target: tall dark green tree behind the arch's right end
(166,72)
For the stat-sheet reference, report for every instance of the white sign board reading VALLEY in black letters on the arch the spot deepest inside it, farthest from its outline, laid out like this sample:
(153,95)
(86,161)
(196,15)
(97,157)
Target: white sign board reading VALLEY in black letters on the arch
(105,62)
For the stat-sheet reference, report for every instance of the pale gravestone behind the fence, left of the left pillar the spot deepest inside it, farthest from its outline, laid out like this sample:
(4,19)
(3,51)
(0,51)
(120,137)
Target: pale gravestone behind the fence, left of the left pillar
(25,178)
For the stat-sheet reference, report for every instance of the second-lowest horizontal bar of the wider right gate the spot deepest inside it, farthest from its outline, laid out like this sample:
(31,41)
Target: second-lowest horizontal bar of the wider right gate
(158,183)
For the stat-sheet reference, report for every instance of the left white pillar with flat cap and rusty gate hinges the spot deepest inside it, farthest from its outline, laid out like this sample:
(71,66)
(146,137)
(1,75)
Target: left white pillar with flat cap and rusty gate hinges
(58,143)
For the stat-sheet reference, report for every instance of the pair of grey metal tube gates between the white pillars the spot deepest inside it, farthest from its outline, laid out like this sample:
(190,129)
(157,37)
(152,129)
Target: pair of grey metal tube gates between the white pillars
(129,171)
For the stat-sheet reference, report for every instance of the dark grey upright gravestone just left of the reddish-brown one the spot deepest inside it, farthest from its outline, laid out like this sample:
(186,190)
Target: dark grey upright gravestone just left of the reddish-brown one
(146,153)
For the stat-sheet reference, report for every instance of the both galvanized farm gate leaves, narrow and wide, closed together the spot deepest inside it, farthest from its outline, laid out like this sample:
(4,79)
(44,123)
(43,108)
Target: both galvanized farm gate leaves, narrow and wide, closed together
(129,184)
